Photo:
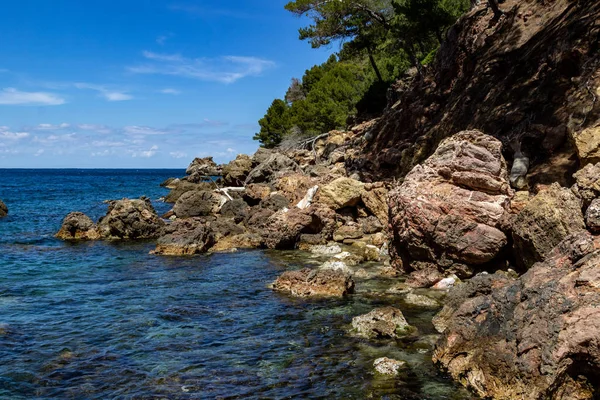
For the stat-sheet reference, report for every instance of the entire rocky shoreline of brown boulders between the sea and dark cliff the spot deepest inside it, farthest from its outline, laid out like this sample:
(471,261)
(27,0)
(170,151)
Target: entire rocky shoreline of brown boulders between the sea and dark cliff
(454,218)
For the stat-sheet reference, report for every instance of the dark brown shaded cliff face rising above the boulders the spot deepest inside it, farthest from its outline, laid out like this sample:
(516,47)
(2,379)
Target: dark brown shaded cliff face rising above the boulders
(530,79)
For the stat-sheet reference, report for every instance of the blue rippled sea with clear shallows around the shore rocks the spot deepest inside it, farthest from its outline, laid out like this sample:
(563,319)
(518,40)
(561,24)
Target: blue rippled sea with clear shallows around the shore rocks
(101,320)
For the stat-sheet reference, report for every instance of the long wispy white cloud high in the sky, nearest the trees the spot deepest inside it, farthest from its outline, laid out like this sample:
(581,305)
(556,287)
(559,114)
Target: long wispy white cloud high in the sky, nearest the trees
(227,69)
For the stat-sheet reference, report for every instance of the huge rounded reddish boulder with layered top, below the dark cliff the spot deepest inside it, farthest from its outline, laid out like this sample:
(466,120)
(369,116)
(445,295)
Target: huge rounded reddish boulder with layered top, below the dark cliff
(448,208)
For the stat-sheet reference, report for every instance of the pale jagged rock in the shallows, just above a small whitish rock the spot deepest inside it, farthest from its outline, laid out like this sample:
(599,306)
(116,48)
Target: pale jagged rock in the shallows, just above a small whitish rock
(385,322)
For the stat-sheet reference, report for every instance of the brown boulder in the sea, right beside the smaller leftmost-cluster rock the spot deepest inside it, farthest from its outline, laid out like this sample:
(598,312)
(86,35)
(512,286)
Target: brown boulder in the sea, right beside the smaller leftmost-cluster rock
(130,219)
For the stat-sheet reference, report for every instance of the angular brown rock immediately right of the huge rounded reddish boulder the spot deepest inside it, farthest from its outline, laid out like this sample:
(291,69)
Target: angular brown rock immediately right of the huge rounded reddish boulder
(548,218)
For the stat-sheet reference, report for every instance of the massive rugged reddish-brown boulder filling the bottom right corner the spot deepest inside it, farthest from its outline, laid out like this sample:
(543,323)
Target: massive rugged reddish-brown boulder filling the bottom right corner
(536,337)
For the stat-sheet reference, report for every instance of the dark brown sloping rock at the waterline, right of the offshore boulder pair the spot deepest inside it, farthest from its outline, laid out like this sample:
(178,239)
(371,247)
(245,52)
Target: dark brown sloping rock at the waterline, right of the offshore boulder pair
(185,237)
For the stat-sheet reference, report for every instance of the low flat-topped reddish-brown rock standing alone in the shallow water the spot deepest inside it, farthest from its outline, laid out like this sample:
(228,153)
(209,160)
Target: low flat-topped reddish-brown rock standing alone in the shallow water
(307,282)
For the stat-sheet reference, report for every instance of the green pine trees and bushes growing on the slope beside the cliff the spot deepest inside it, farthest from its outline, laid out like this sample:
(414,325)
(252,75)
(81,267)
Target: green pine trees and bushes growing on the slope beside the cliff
(381,40)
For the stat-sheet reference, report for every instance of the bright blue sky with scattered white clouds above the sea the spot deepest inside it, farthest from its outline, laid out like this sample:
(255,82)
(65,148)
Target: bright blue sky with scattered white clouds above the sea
(141,83)
